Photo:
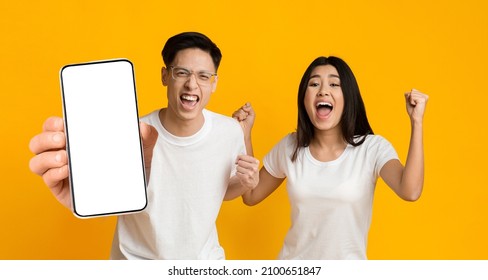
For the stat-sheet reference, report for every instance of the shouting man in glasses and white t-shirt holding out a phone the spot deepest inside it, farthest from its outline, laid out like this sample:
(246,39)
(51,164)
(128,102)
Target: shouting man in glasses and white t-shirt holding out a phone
(194,159)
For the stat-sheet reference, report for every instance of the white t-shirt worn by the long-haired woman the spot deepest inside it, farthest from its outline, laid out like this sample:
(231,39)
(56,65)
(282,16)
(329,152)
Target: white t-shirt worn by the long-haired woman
(331,202)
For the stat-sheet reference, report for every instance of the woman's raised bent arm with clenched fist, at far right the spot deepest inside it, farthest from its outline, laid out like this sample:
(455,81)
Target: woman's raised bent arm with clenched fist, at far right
(407,182)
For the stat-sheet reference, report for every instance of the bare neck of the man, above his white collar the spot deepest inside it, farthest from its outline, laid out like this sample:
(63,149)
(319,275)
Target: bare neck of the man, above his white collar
(178,126)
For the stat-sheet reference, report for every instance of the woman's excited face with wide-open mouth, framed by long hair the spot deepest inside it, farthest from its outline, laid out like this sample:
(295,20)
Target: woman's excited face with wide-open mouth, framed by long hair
(324,101)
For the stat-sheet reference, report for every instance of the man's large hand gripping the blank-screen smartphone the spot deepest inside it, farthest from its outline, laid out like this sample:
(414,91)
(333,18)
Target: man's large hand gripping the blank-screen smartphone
(51,160)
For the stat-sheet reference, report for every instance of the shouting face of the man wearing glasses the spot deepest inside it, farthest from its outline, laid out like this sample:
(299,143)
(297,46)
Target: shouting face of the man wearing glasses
(187,97)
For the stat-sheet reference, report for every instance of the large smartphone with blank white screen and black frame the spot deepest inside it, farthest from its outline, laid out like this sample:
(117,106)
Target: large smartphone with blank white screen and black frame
(105,153)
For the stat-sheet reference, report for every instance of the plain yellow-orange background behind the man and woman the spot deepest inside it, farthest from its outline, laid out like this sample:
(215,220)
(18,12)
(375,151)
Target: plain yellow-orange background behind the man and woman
(438,47)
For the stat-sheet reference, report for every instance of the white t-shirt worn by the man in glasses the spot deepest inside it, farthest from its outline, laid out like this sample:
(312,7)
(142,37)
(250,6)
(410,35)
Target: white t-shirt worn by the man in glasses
(189,178)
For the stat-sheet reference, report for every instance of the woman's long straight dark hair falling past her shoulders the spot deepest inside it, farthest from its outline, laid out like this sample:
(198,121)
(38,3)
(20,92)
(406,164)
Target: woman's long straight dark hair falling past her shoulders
(354,122)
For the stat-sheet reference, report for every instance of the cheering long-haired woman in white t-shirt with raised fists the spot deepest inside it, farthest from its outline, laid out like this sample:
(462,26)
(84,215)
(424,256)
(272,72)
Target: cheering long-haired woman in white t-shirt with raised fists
(332,164)
